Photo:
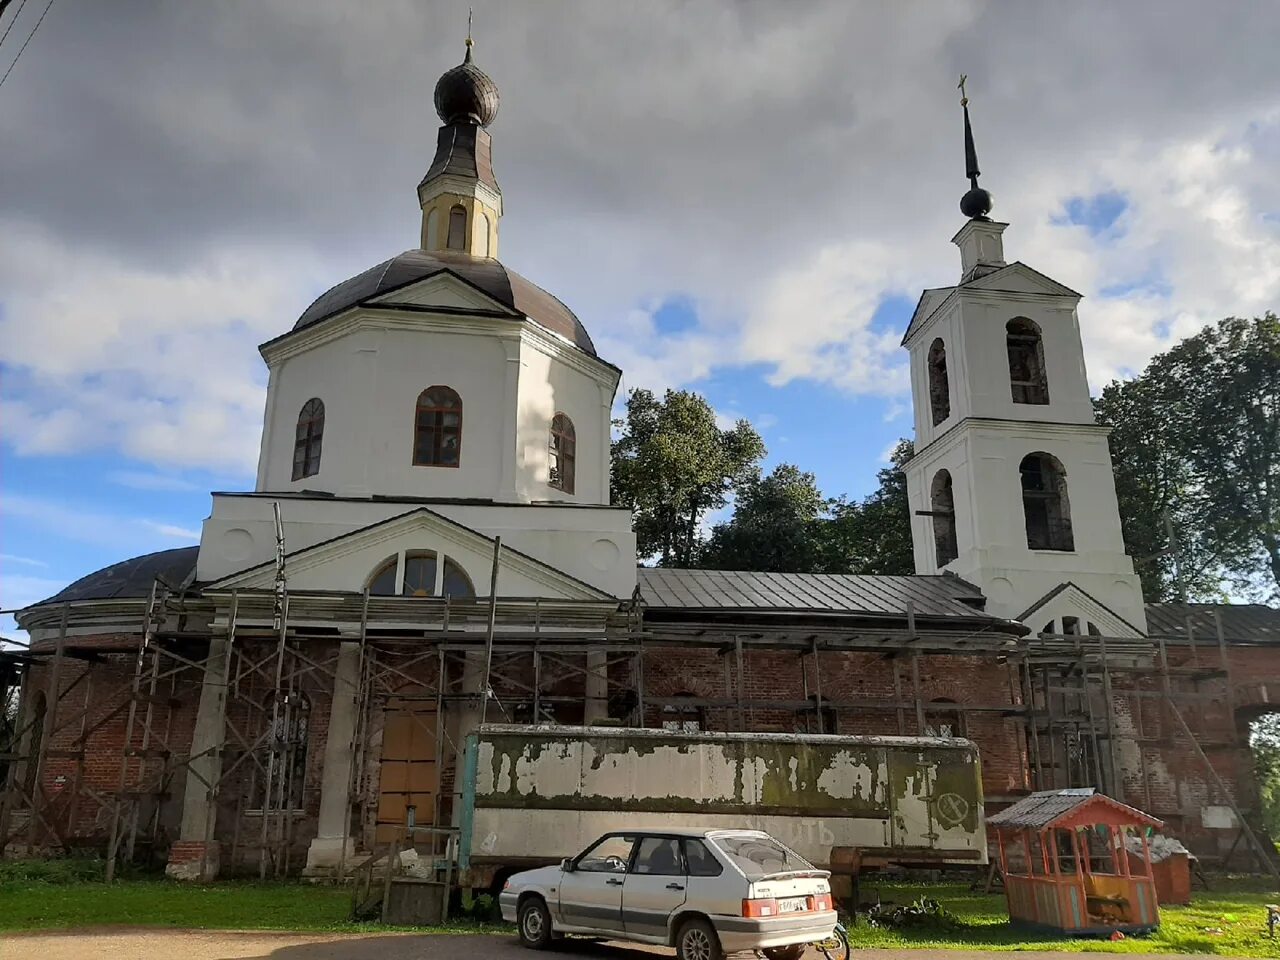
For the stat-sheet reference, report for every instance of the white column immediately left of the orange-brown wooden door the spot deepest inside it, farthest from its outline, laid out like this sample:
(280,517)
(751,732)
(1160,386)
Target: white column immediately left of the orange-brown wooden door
(333,843)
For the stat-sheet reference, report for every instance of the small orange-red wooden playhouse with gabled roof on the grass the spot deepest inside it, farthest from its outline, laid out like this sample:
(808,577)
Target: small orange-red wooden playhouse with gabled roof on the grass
(1067,866)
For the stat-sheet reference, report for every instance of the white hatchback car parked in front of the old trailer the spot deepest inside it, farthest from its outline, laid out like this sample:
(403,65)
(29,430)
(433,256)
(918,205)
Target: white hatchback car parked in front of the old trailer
(703,892)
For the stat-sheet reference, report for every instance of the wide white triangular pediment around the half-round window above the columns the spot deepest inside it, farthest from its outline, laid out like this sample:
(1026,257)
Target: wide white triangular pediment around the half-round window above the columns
(348,563)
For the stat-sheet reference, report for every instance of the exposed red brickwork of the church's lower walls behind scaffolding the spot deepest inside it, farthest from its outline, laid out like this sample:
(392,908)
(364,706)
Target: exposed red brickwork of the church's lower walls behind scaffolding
(1159,770)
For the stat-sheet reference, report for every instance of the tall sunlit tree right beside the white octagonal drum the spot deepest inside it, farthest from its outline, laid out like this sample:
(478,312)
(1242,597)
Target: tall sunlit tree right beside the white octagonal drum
(673,465)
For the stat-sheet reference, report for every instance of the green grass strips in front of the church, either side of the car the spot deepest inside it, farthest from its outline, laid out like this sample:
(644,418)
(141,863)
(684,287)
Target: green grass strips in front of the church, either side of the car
(1228,921)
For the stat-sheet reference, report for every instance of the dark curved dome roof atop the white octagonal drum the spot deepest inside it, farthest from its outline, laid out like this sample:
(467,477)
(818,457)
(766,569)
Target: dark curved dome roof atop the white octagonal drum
(488,276)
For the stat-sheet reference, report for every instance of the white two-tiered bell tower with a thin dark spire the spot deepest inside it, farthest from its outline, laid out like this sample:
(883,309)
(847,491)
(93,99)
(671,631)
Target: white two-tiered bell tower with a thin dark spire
(1012,484)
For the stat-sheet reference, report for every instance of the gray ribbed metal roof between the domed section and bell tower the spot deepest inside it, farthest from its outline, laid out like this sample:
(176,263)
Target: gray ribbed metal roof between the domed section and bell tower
(826,593)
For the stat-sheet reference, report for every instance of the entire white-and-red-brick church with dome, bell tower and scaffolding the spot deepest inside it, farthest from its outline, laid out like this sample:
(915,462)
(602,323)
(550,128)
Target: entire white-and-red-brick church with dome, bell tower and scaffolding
(431,546)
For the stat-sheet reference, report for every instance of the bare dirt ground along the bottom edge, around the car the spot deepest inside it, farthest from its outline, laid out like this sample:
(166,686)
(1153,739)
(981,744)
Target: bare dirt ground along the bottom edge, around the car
(217,945)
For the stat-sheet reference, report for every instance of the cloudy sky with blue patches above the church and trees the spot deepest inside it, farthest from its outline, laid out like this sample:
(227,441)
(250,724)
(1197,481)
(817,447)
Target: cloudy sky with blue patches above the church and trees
(743,199)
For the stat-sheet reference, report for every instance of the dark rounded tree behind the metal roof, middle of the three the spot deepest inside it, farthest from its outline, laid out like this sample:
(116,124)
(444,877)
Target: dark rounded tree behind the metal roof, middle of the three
(778,527)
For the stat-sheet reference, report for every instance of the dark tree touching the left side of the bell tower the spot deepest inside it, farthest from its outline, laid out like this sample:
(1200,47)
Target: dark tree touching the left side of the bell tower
(875,536)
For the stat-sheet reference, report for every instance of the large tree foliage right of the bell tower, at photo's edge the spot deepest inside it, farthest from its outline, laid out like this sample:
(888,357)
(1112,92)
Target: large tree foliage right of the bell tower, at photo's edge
(1196,445)
